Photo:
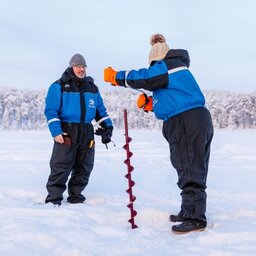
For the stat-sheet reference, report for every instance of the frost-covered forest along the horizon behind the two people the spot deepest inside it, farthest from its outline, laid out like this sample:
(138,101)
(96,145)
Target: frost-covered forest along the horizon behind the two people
(24,109)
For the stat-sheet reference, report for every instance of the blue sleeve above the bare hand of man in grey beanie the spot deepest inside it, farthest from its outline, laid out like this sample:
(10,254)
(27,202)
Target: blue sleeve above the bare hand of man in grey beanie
(52,109)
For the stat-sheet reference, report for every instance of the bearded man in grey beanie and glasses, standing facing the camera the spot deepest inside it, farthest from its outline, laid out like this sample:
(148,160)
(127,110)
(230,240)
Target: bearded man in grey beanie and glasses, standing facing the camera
(72,103)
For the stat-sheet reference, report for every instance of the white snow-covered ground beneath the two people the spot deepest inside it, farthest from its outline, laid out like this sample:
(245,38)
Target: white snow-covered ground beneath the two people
(28,227)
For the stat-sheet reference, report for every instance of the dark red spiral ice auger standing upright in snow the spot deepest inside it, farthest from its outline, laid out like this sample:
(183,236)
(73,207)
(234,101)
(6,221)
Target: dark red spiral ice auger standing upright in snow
(130,168)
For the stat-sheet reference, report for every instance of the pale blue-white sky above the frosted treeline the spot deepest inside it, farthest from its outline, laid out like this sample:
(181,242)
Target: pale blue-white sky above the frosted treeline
(38,38)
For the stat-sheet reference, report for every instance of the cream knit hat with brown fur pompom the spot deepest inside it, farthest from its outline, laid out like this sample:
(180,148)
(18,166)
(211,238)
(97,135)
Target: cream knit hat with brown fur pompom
(159,48)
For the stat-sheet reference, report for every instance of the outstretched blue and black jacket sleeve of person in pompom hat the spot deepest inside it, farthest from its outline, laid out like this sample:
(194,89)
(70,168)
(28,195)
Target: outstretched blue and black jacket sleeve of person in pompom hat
(151,78)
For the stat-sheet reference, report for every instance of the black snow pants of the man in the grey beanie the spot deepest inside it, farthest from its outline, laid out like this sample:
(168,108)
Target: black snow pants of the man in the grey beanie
(75,157)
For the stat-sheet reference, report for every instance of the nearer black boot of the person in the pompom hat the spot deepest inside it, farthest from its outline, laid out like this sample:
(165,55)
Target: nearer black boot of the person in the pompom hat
(188,226)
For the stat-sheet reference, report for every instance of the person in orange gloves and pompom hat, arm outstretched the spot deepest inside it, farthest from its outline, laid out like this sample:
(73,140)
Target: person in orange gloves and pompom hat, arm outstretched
(179,102)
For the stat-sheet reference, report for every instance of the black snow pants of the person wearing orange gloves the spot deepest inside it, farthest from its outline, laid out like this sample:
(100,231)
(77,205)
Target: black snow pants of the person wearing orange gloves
(189,135)
